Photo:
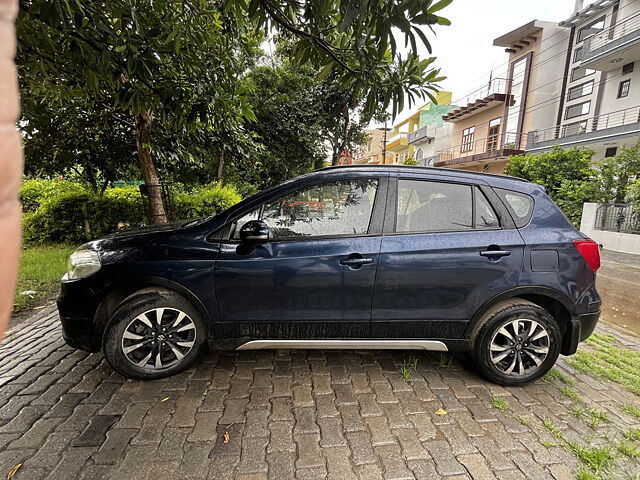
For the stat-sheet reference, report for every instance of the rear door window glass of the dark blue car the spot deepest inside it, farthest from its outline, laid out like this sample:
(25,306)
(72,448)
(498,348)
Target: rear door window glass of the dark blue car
(426,206)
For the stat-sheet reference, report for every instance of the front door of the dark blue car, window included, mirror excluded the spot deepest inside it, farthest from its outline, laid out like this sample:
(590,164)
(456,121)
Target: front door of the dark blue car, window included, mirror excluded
(314,277)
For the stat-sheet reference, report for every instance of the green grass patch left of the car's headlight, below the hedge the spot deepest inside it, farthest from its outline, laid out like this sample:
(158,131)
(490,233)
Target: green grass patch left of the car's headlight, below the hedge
(40,270)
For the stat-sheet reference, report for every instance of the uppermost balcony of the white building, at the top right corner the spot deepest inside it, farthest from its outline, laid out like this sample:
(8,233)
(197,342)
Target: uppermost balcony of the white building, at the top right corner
(613,47)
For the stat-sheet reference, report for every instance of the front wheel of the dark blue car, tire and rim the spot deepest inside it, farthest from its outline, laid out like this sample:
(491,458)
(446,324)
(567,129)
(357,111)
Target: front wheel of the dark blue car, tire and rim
(133,339)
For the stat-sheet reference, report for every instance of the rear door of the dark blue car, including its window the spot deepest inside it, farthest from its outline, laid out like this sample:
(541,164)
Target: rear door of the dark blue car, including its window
(447,248)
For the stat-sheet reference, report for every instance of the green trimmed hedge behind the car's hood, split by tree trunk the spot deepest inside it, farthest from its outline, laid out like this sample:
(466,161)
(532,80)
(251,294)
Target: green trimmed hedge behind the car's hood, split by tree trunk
(67,212)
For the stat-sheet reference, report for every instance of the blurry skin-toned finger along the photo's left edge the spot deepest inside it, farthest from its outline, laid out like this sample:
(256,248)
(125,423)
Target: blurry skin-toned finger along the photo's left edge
(10,163)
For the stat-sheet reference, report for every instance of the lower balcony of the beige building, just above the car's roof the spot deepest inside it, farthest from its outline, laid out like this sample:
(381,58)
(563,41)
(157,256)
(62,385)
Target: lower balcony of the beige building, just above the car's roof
(481,150)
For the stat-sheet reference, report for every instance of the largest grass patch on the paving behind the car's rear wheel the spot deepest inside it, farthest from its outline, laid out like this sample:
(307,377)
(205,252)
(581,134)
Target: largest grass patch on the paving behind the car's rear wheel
(618,364)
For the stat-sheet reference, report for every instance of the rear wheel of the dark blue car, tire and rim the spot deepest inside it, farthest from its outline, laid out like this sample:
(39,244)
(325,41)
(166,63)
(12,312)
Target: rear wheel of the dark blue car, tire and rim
(511,358)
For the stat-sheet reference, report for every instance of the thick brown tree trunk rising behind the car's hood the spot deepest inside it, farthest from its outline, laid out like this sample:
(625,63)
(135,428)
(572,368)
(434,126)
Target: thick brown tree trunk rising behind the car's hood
(148,168)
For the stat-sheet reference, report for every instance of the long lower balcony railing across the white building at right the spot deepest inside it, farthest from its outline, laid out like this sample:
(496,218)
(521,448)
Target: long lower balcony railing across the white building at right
(593,124)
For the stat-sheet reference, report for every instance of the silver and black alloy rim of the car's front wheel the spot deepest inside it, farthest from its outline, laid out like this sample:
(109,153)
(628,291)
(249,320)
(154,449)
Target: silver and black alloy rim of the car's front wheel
(158,338)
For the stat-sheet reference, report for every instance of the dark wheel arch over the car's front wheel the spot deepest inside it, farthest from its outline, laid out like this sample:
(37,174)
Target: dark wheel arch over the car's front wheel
(113,297)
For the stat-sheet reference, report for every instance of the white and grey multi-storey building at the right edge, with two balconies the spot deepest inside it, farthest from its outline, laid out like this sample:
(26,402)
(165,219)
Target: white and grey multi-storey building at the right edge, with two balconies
(599,106)
